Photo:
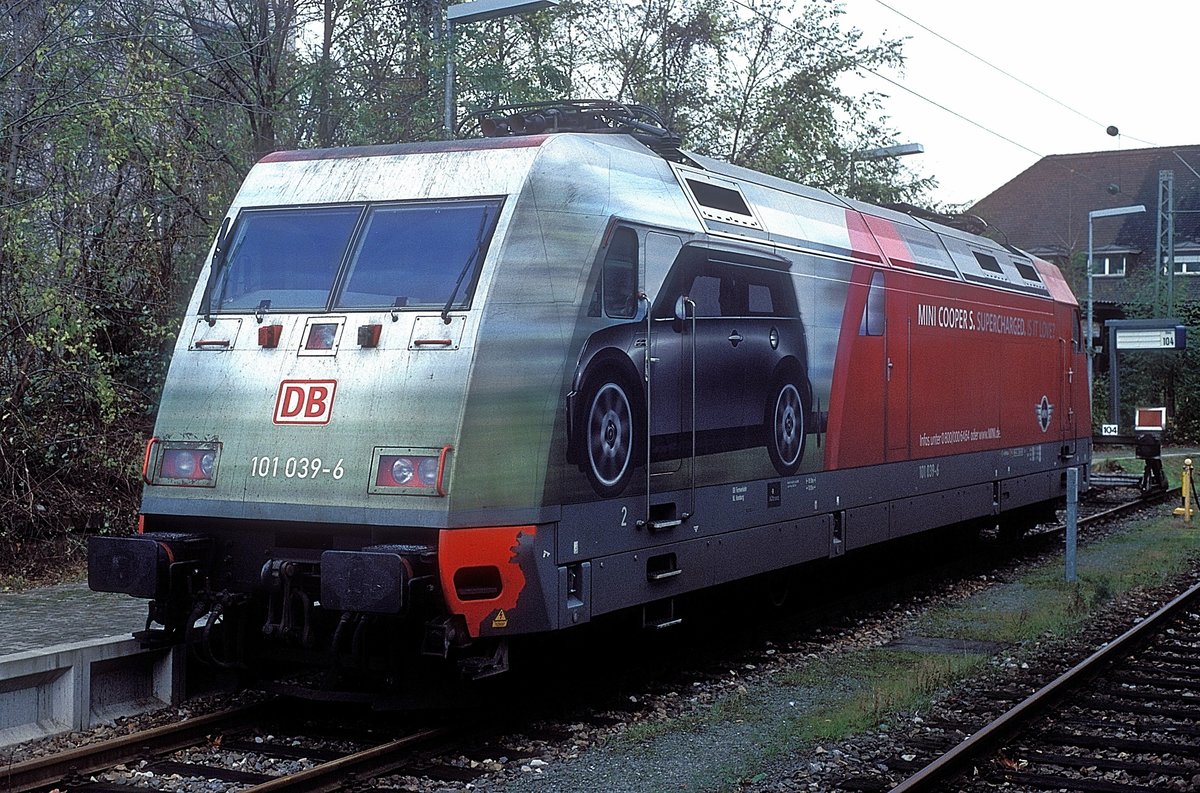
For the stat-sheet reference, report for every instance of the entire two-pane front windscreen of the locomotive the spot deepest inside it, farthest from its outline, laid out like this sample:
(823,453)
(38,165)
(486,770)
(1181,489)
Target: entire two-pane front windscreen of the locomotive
(389,256)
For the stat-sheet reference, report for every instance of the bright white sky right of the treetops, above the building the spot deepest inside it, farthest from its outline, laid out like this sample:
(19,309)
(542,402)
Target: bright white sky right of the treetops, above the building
(1131,65)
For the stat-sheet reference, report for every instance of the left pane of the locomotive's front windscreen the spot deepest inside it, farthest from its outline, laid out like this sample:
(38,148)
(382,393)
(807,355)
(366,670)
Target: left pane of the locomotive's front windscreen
(284,259)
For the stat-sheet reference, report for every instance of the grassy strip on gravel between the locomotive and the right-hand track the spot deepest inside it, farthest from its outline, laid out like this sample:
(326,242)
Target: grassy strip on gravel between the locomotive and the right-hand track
(829,700)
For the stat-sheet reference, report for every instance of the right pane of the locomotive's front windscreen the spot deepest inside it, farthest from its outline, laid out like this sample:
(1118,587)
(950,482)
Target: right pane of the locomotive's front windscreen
(419,256)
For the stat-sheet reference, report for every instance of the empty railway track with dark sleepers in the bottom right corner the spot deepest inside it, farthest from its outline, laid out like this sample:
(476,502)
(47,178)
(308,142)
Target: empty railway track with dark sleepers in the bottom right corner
(1125,720)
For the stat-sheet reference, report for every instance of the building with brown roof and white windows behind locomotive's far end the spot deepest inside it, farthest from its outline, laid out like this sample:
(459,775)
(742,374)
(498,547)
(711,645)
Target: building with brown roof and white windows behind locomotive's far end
(1144,266)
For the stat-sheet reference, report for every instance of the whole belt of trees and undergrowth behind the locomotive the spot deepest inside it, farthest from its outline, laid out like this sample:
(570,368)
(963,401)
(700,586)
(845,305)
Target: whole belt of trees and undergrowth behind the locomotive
(127,128)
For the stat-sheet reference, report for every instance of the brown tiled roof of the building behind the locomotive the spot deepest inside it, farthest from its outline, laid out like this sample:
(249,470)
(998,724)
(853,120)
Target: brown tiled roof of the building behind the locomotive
(1045,209)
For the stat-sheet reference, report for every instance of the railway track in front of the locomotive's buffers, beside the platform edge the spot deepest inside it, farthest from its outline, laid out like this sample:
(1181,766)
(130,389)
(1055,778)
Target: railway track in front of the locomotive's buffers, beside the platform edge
(214,750)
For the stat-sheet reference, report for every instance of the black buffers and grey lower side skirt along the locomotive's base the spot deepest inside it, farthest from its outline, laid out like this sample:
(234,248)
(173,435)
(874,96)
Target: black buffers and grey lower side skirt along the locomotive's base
(380,600)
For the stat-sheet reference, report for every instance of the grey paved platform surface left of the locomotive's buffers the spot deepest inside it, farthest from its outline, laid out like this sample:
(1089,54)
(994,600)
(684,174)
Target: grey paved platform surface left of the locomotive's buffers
(46,617)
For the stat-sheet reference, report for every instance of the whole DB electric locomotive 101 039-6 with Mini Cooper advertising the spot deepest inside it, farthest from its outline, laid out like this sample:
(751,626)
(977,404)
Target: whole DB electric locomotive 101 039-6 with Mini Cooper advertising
(430,398)
